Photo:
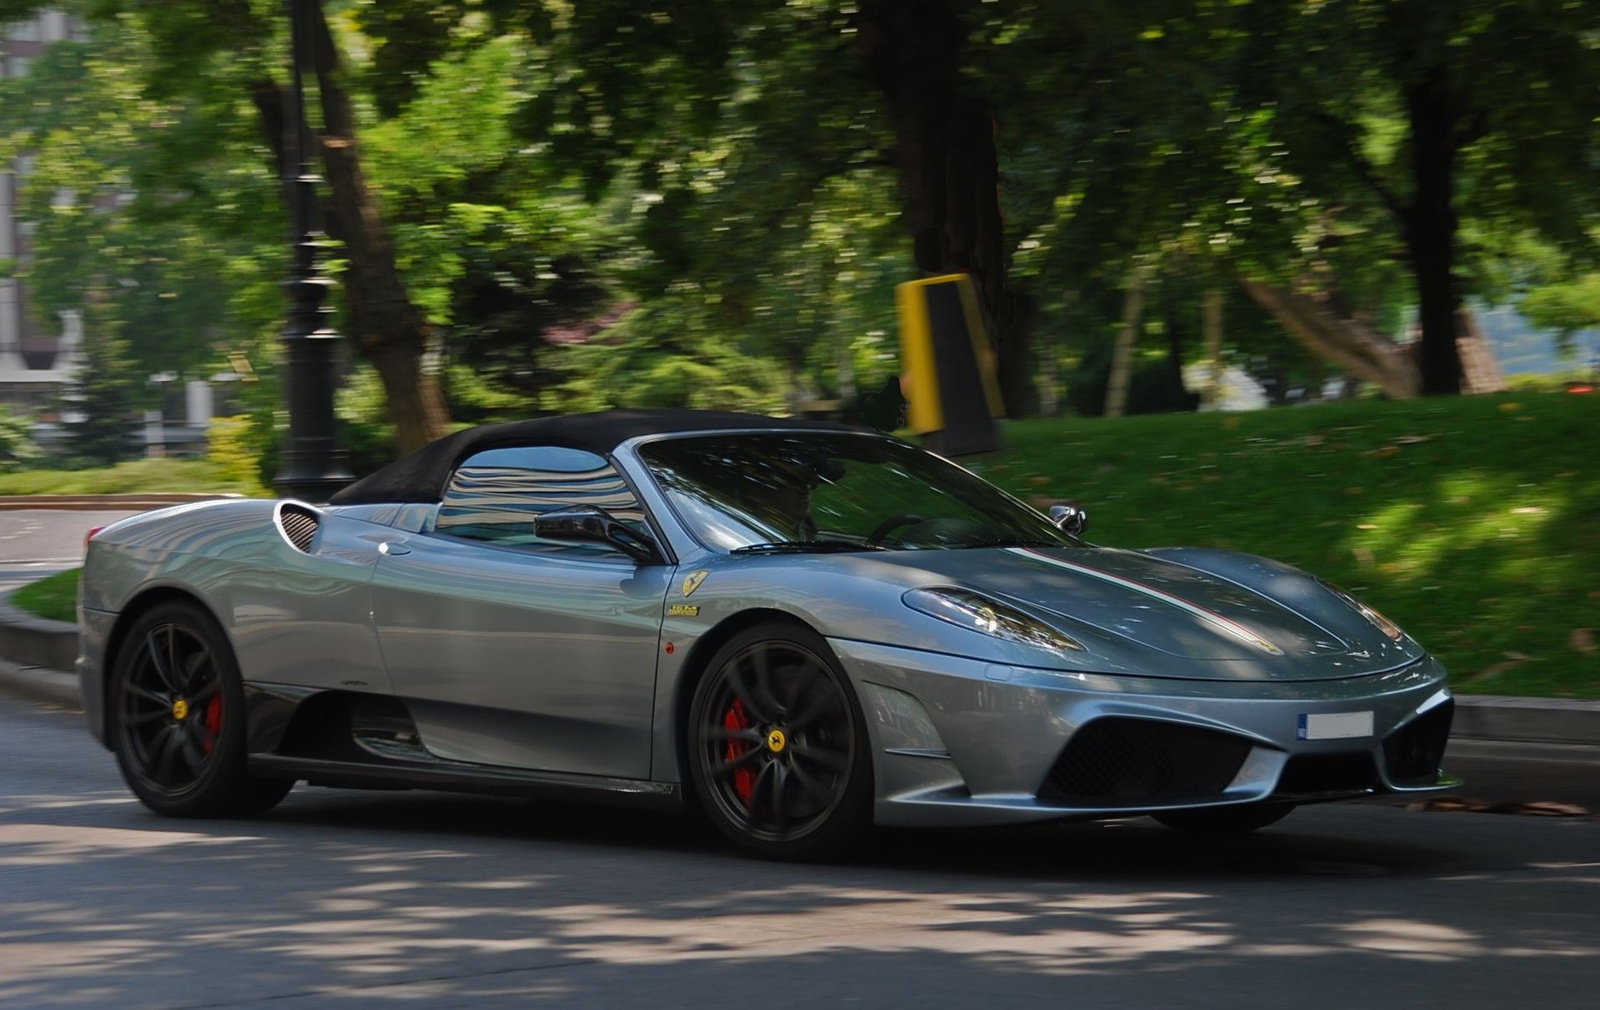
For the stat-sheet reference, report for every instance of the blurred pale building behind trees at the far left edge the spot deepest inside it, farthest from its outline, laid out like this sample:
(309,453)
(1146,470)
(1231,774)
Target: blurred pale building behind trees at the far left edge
(36,358)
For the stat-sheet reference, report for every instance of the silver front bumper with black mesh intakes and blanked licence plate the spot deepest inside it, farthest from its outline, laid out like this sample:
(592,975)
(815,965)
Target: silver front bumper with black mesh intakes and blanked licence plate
(964,742)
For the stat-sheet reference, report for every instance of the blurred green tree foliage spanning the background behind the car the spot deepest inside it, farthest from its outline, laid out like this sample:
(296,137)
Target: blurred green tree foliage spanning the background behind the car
(703,204)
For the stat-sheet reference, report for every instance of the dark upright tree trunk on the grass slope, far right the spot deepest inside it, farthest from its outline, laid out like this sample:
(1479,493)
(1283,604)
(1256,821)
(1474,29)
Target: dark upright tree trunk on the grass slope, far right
(1431,230)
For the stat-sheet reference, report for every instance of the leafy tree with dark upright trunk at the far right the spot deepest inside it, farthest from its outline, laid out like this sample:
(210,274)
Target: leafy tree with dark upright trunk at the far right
(1438,111)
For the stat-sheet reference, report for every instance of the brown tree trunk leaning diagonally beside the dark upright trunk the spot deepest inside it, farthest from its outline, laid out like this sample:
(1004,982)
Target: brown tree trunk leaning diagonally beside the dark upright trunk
(1345,342)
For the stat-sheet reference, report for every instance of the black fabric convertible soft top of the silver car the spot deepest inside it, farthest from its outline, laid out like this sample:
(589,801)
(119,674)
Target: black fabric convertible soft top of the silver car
(425,473)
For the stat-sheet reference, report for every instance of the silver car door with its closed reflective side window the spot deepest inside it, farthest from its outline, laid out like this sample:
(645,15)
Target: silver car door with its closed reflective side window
(519,652)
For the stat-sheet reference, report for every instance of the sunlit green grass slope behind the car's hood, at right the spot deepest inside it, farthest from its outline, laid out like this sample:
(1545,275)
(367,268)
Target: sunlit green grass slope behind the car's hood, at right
(1473,523)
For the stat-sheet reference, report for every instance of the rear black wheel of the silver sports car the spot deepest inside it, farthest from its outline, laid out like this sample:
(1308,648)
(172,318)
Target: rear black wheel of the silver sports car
(178,718)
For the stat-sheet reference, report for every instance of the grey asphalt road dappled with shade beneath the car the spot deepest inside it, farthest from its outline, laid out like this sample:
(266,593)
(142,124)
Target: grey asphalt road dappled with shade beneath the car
(425,900)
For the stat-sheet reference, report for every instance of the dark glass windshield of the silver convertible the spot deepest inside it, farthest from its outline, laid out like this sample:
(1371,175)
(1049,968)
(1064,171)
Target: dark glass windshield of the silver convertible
(834,492)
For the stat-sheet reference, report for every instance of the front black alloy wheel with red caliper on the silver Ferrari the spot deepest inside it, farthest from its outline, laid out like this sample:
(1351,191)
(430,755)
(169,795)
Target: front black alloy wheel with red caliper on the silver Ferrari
(778,753)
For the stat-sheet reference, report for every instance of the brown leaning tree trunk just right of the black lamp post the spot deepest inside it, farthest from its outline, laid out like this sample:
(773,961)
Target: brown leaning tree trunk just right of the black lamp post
(378,311)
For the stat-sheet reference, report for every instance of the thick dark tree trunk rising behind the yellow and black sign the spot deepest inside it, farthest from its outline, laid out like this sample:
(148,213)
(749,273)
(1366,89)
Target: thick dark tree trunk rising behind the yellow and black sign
(948,167)
